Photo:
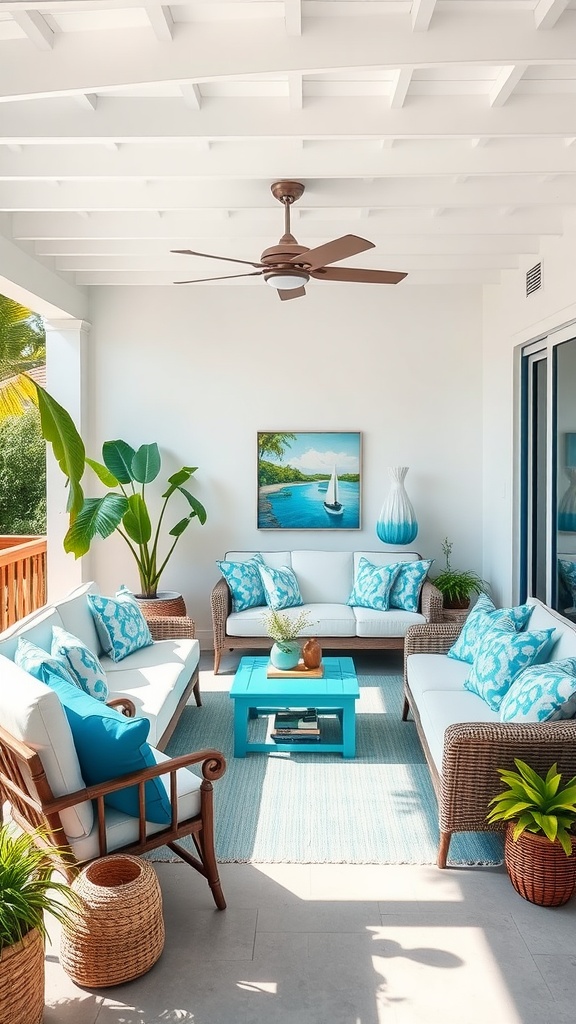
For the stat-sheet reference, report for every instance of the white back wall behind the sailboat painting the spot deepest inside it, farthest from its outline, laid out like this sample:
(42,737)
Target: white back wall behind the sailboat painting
(201,370)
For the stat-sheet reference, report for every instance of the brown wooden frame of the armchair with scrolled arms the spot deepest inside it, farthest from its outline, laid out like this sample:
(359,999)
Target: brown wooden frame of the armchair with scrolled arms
(24,785)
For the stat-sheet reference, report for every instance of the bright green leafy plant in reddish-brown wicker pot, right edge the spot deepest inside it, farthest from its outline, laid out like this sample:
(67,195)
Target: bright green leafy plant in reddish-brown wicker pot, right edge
(541,845)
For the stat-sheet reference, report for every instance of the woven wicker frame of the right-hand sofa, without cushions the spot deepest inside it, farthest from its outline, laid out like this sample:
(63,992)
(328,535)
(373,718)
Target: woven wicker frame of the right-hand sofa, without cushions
(474,751)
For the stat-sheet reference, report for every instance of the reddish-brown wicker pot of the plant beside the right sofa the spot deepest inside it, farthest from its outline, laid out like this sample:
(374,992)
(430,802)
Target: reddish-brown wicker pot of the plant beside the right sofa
(540,871)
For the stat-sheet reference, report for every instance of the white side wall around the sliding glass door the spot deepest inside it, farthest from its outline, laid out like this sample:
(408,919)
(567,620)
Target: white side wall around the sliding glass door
(510,320)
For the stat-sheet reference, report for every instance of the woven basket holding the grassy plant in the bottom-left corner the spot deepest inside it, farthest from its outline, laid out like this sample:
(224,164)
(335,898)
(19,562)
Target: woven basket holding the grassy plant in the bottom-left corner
(22,982)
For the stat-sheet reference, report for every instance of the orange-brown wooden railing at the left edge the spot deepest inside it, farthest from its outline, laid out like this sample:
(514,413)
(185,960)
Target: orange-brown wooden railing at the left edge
(23,577)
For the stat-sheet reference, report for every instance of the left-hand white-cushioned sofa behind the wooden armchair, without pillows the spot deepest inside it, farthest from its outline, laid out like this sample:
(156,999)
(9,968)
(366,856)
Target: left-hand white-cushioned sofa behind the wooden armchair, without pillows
(158,679)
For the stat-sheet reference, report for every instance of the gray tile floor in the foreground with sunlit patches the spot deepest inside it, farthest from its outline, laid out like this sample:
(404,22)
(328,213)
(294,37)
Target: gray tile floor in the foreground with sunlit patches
(342,945)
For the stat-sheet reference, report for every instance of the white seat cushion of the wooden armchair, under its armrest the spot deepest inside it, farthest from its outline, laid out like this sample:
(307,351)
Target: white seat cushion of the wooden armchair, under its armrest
(124,829)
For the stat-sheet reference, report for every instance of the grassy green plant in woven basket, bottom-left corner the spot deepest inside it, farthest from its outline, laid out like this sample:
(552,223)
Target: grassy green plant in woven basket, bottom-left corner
(27,892)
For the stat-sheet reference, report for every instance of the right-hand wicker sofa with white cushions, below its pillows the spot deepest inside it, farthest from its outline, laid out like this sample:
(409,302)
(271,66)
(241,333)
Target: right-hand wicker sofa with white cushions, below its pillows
(464,740)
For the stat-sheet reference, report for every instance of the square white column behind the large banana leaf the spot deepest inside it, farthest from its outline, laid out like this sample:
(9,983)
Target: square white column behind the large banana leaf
(67,344)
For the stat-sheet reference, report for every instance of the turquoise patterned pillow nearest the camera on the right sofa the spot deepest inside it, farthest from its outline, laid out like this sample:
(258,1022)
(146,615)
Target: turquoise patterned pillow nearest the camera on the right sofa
(542,692)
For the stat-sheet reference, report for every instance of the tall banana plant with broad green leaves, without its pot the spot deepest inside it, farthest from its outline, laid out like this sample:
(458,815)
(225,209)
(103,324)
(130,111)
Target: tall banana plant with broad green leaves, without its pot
(125,508)
